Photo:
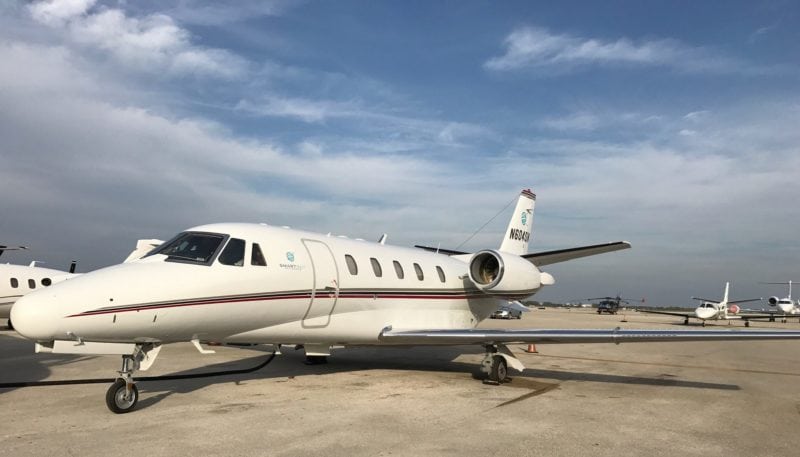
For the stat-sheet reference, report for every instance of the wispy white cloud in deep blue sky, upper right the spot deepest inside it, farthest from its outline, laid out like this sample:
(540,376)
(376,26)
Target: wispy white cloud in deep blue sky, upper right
(537,48)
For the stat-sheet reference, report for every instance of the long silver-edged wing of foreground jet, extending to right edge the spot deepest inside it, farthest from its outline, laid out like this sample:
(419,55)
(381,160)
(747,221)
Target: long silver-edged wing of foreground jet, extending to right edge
(617,335)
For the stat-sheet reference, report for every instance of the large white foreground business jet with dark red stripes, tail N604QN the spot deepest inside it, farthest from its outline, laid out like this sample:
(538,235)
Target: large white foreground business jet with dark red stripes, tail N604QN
(251,283)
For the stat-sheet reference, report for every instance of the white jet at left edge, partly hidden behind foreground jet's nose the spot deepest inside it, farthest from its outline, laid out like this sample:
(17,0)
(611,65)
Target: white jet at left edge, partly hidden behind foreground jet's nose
(18,280)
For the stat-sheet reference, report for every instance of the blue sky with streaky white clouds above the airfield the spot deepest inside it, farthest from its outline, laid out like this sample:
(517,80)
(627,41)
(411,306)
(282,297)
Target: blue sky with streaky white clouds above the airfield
(673,125)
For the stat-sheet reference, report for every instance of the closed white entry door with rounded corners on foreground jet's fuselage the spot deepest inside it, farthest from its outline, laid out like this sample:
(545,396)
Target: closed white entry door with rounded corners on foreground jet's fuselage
(325,288)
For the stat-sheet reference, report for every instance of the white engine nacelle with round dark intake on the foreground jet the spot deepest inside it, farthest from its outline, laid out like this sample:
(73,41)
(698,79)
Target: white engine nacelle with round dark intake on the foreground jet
(506,275)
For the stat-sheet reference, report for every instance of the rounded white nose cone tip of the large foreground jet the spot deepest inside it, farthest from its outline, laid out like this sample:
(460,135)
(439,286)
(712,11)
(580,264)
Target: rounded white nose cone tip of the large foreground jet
(33,317)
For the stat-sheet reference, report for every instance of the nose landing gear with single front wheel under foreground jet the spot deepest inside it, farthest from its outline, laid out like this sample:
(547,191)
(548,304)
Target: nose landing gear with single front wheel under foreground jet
(122,396)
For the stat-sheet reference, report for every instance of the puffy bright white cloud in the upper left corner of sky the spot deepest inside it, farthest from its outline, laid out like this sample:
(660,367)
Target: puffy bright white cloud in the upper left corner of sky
(152,44)
